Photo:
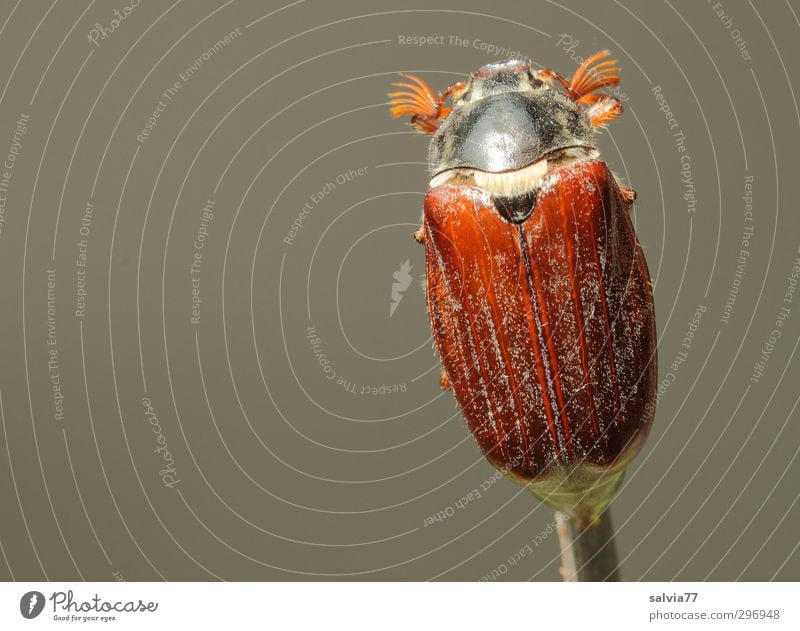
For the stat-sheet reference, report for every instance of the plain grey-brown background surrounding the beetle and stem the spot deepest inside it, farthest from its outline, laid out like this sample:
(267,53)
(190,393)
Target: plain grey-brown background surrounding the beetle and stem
(284,473)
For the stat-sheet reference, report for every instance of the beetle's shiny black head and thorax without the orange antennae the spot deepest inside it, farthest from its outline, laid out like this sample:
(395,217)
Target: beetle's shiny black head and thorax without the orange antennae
(505,119)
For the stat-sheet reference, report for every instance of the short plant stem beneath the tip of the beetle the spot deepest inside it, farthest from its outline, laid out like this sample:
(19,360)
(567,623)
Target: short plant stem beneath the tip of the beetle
(588,552)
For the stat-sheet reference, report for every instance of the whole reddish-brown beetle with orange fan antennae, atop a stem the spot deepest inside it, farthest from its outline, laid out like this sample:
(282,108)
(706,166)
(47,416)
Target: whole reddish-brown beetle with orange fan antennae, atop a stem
(538,292)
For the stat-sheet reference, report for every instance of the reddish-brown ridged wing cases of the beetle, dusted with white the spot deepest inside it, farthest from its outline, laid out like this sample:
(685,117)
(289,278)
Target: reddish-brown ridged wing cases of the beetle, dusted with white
(545,328)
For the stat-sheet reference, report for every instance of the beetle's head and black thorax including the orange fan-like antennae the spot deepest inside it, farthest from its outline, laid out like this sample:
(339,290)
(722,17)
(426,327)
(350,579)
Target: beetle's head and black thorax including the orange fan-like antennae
(506,117)
